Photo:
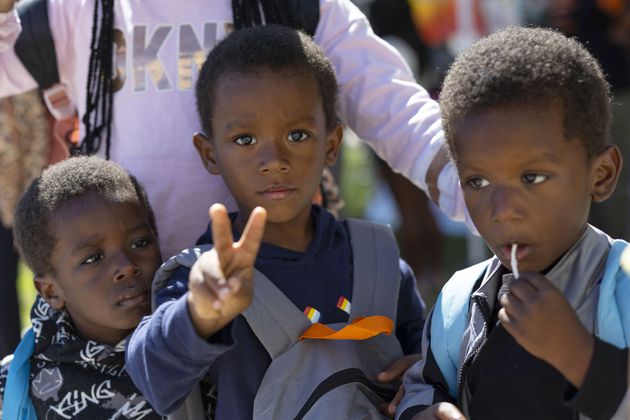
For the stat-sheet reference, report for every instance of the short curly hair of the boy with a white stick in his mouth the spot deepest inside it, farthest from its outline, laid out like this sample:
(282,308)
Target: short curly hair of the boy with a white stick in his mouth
(531,67)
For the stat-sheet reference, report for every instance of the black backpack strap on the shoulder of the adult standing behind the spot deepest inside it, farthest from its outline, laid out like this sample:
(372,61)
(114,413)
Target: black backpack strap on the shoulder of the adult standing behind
(35,46)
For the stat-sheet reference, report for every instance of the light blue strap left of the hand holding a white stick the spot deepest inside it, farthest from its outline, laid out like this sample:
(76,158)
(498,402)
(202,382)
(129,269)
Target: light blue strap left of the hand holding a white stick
(448,321)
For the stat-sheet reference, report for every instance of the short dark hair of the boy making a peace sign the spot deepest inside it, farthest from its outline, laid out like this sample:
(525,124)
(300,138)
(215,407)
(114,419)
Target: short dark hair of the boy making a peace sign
(270,47)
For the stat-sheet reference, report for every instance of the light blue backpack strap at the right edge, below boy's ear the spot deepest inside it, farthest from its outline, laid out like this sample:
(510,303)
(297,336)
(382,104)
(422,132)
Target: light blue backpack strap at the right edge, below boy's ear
(613,311)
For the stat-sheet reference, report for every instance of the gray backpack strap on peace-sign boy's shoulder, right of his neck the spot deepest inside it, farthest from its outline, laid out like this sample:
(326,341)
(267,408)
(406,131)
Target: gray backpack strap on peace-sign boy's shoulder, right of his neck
(375,262)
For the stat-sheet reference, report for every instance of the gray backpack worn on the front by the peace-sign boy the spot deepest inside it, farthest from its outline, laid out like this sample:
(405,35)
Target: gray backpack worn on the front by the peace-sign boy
(320,378)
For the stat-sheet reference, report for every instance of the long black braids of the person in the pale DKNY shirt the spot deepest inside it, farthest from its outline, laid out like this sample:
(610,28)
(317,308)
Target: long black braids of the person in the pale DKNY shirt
(99,99)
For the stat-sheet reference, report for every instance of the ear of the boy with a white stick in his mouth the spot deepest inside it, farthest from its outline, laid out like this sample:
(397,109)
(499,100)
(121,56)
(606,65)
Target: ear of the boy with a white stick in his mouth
(605,171)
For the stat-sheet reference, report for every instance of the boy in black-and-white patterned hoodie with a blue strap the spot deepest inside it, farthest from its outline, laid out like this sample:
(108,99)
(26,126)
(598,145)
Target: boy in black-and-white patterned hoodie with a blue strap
(86,230)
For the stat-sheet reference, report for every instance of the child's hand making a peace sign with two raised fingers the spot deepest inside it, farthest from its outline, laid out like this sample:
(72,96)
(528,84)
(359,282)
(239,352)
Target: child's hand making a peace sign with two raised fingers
(220,282)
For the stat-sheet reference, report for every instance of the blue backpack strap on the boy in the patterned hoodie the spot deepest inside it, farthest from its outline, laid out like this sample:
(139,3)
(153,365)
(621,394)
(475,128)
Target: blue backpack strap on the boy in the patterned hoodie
(17,402)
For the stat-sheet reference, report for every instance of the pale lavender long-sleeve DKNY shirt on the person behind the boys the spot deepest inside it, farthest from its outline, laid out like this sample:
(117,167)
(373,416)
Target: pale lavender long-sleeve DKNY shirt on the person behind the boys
(160,46)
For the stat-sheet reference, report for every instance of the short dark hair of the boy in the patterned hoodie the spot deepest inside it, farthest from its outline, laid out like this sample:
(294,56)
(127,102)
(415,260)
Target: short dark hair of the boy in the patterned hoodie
(55,188)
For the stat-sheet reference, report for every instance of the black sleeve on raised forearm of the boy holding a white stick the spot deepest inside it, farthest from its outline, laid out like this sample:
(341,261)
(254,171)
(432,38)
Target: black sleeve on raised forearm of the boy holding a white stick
(605,384)
